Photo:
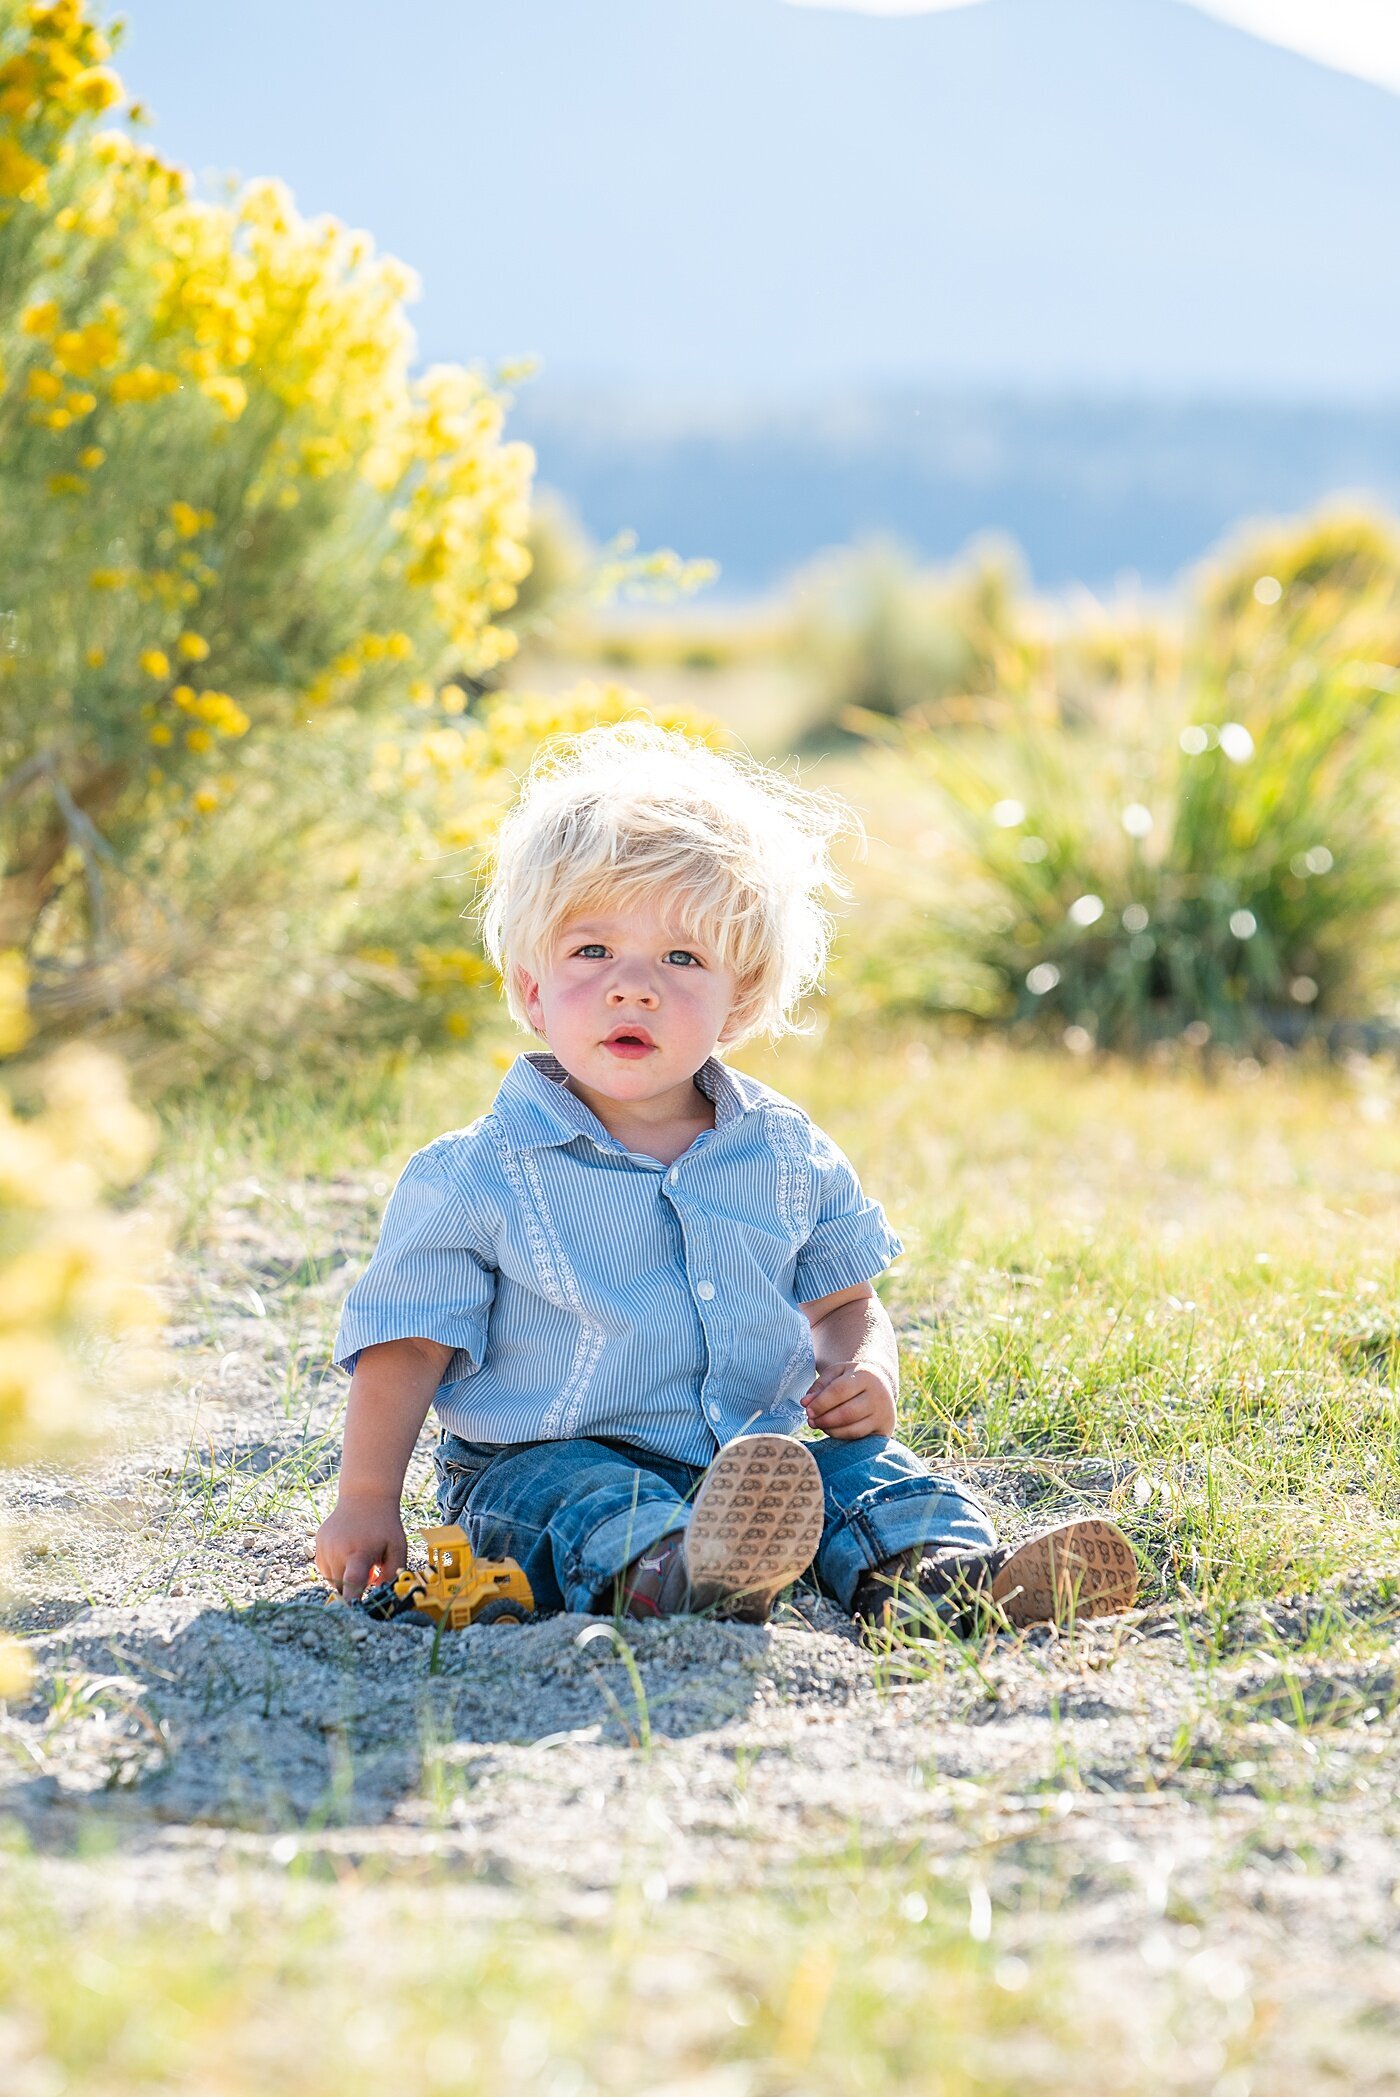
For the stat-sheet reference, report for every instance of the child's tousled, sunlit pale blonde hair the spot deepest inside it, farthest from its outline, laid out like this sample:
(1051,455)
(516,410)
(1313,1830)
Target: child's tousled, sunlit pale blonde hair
(741,852)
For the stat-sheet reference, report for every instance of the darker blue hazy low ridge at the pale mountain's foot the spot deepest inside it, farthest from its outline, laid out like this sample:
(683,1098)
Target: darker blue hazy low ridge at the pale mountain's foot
(1087,488)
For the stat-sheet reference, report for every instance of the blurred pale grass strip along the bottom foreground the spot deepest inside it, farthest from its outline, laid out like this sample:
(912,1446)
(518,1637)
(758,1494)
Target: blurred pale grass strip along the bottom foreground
(869,1974)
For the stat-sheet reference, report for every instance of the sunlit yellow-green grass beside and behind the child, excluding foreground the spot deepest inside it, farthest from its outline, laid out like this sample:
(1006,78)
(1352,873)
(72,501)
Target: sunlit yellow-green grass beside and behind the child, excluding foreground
(1187,1278)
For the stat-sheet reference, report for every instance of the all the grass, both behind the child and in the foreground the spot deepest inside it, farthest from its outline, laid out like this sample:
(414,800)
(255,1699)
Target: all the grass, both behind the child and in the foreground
(1156,1289)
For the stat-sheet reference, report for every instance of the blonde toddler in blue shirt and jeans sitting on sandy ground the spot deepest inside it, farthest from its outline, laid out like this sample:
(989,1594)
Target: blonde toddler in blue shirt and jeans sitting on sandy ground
(638,1280)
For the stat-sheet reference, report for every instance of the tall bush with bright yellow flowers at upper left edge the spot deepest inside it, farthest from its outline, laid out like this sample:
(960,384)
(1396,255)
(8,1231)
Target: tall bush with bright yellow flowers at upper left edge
(229,517)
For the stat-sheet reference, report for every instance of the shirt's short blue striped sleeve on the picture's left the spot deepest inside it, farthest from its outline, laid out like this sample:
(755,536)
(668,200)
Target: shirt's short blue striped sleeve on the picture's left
(431,1278)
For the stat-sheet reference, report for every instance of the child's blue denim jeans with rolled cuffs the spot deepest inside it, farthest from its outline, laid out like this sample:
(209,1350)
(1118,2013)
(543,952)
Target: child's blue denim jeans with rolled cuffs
(577,1513)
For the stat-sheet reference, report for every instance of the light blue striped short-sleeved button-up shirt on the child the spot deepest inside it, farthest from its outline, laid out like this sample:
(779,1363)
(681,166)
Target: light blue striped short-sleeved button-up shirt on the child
(590,1291)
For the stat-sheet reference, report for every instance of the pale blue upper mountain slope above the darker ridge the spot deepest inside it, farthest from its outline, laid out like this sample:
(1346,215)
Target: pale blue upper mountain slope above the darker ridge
(739,194)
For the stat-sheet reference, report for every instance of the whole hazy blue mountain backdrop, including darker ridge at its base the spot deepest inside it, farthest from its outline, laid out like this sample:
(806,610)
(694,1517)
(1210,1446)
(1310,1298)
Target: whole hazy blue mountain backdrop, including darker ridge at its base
(804,276)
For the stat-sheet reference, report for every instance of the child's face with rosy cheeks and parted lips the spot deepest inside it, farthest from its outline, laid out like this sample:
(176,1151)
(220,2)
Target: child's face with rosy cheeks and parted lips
(630,1003)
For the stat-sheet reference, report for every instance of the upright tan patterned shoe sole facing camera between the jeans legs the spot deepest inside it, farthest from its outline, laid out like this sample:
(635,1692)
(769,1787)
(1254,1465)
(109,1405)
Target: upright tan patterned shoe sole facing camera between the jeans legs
(756,1526)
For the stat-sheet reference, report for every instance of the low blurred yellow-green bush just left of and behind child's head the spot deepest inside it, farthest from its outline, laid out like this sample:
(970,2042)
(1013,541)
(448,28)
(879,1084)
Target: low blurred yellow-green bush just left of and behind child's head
(343,928)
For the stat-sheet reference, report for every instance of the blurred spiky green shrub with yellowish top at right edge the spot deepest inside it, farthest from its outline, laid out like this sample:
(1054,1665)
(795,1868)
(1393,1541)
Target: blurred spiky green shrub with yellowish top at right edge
(1212,852)
